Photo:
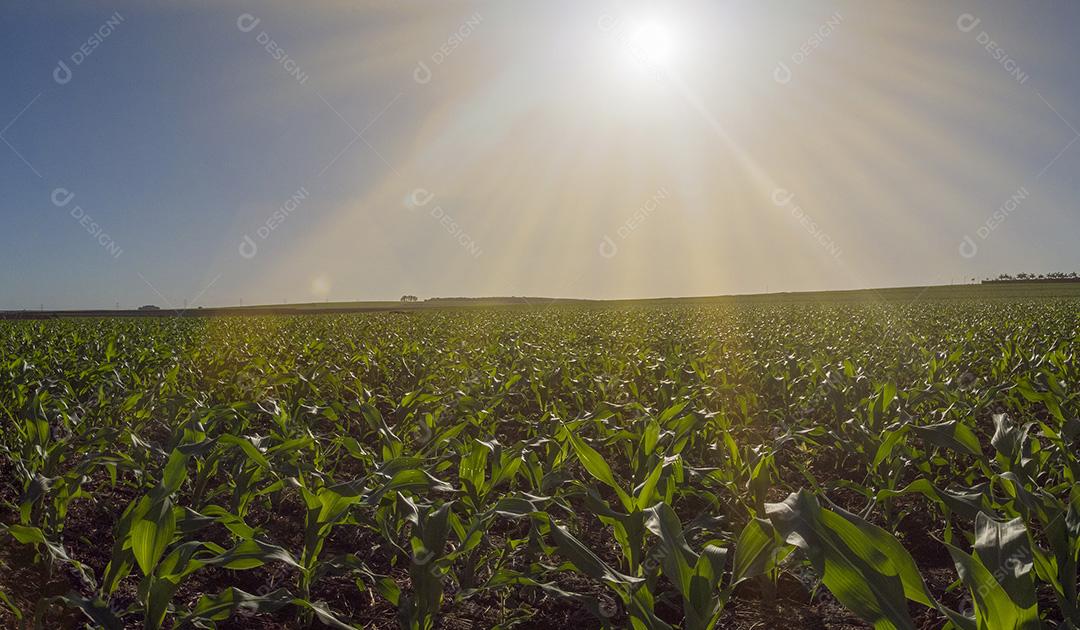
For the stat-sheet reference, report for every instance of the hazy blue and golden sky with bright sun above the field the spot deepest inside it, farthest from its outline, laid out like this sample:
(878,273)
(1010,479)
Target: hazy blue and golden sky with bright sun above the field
(211,153)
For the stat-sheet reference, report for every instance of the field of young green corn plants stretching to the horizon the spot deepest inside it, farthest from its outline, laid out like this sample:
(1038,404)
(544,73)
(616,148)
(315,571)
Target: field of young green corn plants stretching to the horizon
(696,466)
